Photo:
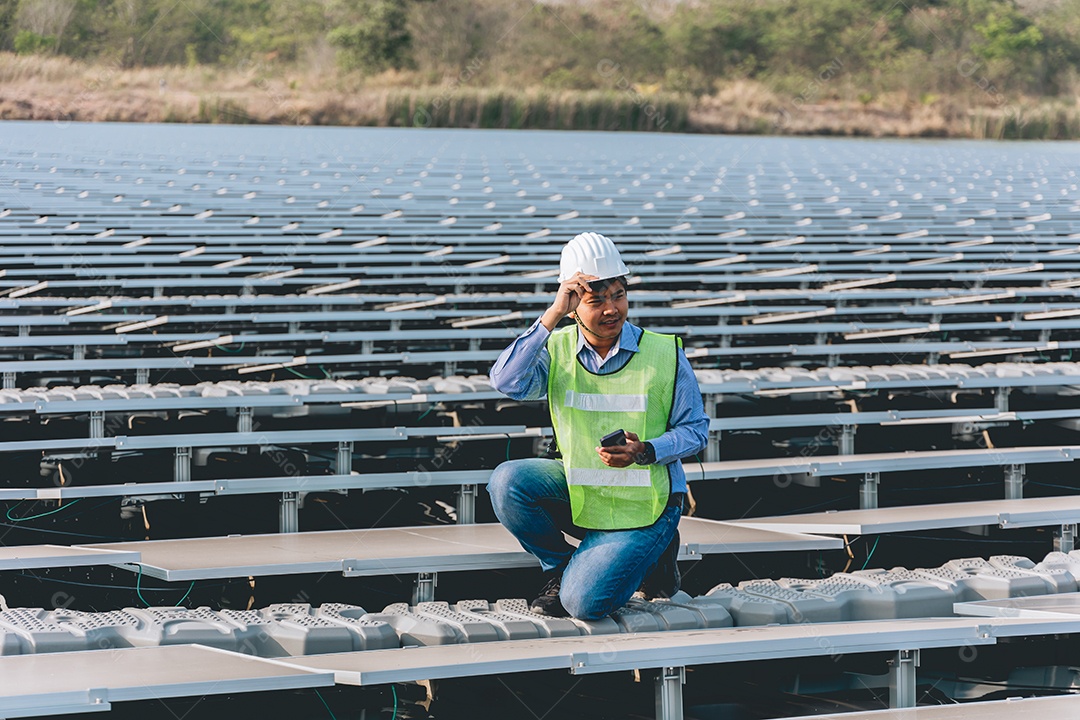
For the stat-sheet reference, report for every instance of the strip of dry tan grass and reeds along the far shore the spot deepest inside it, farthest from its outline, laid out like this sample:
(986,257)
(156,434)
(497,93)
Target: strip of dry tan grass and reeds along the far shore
(59,89)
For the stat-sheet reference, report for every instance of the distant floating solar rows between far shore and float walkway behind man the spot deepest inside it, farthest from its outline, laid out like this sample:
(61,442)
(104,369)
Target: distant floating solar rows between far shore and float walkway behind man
(224,265)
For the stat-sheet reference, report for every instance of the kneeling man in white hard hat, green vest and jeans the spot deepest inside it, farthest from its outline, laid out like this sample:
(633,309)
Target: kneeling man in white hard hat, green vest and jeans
(601,376)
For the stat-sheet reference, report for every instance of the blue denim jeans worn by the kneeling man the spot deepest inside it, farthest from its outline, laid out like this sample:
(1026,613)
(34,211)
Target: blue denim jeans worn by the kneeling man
(531,499)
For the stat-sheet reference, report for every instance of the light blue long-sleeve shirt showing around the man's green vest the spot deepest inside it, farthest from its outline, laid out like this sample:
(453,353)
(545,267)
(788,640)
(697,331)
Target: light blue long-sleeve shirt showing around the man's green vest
(521,373)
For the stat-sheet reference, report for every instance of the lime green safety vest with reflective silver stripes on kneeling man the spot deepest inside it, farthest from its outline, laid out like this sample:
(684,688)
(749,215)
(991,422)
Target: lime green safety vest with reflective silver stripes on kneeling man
(586,407)
